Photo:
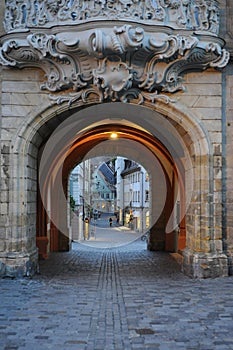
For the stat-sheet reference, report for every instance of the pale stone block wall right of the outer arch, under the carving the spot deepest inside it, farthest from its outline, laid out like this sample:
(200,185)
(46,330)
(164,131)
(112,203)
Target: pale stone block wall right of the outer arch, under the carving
(203,99)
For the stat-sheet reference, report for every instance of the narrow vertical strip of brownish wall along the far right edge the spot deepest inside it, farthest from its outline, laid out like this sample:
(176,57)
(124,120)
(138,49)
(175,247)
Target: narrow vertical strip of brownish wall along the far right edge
(227,125)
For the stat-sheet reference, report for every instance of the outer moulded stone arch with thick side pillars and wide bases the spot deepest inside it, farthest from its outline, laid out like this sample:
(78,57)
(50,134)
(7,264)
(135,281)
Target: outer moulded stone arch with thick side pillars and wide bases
(203,254)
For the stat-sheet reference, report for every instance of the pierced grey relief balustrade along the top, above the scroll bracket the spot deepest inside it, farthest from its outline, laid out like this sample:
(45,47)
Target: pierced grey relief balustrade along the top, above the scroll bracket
(201,15)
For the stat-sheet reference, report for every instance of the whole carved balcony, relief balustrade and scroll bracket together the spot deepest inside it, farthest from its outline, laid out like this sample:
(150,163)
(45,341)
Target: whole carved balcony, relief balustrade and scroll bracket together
(125,62)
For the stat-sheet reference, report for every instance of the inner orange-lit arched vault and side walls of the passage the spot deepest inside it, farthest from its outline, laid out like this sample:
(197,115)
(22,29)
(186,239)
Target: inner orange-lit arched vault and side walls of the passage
(54,173)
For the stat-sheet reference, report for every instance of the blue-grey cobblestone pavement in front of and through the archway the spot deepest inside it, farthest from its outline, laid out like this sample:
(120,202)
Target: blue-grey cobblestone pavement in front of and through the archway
(115,299)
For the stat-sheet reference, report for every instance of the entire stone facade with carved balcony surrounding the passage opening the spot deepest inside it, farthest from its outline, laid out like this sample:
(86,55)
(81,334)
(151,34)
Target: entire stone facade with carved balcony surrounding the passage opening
(175,82)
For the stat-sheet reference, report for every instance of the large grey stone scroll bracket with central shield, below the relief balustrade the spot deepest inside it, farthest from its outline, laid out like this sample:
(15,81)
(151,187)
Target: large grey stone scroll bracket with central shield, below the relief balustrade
(123,63)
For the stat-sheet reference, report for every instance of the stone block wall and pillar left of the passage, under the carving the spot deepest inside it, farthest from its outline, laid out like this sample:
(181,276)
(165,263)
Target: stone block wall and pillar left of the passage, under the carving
(20,99)
